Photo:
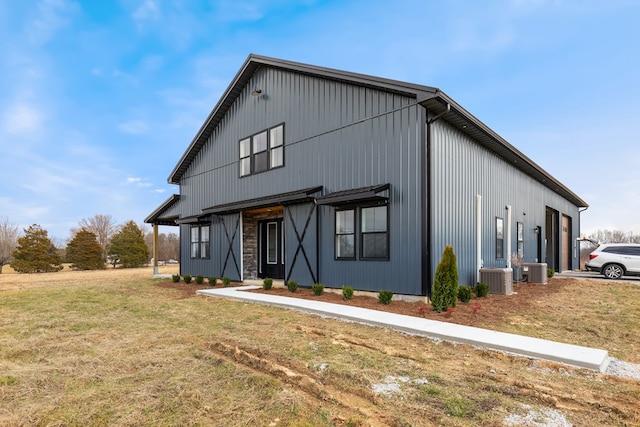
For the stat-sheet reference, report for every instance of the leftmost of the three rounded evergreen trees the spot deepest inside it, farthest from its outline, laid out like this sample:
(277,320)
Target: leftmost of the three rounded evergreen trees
(35,252)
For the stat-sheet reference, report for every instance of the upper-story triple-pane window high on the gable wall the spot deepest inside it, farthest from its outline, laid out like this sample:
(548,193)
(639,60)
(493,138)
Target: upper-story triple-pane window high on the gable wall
(262,151)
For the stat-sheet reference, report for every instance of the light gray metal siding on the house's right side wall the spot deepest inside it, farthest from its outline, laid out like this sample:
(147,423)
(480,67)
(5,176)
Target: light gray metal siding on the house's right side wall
(463,169)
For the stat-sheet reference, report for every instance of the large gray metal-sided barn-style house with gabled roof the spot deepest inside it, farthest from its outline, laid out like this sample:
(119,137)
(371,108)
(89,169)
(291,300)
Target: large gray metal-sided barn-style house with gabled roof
(320,175)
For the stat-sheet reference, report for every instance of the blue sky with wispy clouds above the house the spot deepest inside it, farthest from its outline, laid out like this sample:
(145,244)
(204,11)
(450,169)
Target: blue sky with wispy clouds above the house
(99,99)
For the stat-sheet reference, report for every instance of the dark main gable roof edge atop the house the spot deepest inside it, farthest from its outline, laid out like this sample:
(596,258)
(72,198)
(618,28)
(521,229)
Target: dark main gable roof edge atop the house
(431,98)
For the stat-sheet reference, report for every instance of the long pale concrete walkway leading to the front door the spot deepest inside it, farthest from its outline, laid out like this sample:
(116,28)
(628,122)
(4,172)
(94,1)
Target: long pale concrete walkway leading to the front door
(568,354)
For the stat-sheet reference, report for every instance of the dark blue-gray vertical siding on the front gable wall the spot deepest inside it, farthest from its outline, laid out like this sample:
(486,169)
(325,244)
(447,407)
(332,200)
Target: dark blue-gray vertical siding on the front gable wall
(337,135)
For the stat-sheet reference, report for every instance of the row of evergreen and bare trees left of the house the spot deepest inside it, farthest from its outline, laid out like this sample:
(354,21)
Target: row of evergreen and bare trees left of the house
(96,242)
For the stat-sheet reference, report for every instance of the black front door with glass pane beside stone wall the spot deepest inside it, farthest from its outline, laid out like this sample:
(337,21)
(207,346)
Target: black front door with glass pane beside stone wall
(271,249)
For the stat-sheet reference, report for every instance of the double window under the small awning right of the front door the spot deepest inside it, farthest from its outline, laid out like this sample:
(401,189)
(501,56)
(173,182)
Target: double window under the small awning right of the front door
(373,236)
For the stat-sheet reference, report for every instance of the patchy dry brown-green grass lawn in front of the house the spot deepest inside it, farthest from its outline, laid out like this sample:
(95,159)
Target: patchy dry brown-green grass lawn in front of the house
(114,348)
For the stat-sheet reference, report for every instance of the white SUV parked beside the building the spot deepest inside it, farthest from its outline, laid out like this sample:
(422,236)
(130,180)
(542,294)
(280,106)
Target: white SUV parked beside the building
(615,260)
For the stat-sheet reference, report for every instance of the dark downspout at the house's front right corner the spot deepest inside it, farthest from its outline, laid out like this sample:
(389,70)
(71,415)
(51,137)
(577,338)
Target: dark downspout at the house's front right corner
(426,177)
